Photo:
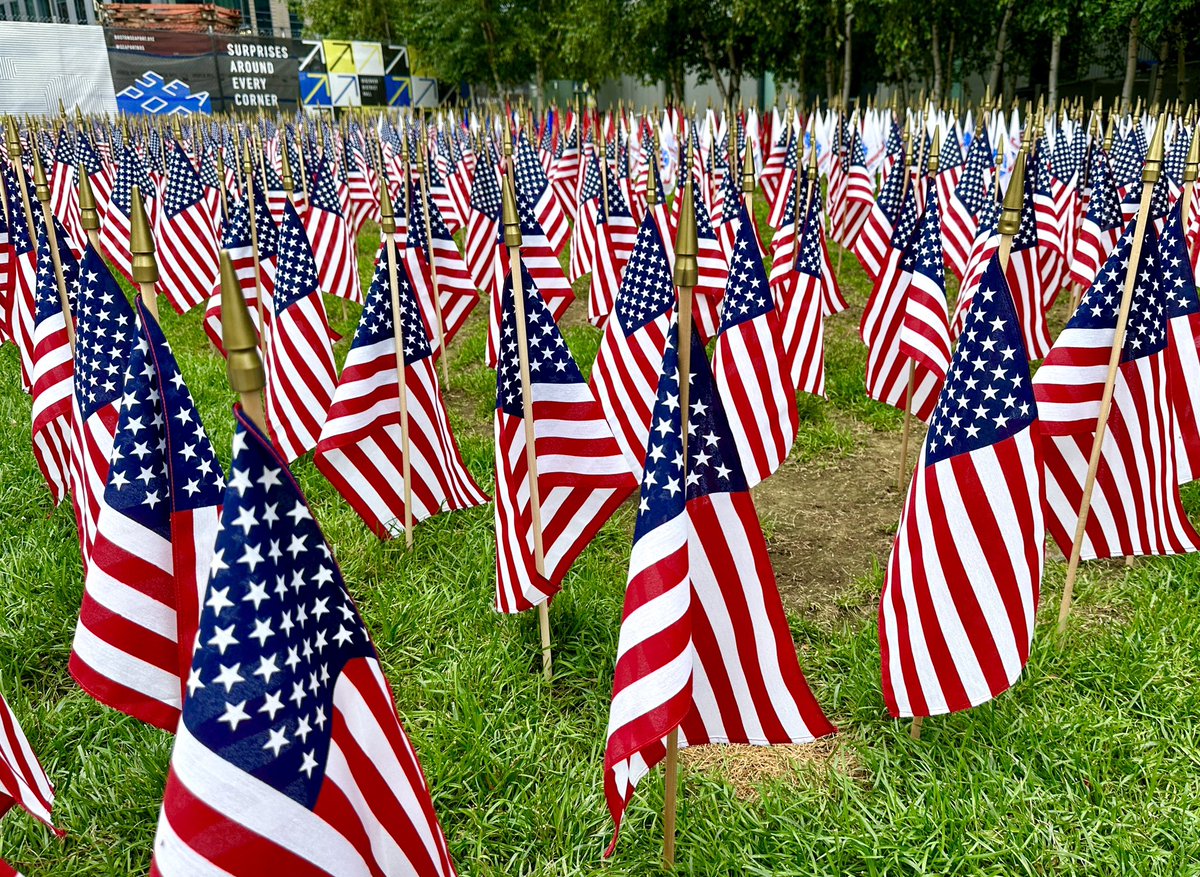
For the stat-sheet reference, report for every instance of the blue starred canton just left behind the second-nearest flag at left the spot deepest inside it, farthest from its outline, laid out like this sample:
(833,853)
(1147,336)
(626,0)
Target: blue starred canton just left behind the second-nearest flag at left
(105,335)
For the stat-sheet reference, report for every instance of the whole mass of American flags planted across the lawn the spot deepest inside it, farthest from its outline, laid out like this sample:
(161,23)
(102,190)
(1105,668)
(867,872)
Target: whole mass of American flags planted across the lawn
(213,606)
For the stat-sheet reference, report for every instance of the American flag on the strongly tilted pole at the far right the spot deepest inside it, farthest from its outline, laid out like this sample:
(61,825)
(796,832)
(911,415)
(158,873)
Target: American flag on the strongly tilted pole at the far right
(1136,506)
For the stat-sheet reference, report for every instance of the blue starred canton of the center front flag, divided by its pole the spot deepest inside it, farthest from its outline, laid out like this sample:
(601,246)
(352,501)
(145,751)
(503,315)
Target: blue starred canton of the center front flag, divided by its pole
(713,462)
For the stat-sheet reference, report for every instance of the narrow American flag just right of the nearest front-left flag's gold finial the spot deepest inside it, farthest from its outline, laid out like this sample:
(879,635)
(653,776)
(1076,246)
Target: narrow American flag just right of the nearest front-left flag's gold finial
(301,371)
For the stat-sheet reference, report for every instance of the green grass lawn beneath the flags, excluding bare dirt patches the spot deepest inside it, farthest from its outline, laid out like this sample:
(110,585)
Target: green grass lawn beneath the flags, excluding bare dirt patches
(1090,766)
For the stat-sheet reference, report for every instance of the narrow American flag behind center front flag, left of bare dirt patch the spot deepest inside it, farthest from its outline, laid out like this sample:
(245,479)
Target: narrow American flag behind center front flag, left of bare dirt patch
(749,364)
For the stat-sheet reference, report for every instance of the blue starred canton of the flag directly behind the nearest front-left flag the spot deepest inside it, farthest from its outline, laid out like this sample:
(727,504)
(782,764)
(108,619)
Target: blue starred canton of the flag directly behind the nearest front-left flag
(163,460)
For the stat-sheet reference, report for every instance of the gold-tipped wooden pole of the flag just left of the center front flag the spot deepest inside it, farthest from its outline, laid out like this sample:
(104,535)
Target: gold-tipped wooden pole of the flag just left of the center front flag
(512,220)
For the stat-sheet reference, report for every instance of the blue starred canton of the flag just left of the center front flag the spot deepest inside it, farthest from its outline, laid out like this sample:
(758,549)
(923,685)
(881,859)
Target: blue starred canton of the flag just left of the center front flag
(550,361)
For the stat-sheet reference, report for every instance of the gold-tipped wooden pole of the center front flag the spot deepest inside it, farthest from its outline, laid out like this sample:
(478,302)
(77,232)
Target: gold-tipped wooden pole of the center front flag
(687,277)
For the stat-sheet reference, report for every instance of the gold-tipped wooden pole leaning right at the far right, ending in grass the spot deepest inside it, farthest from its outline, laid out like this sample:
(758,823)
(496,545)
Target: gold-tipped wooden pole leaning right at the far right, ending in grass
(1150,176)
